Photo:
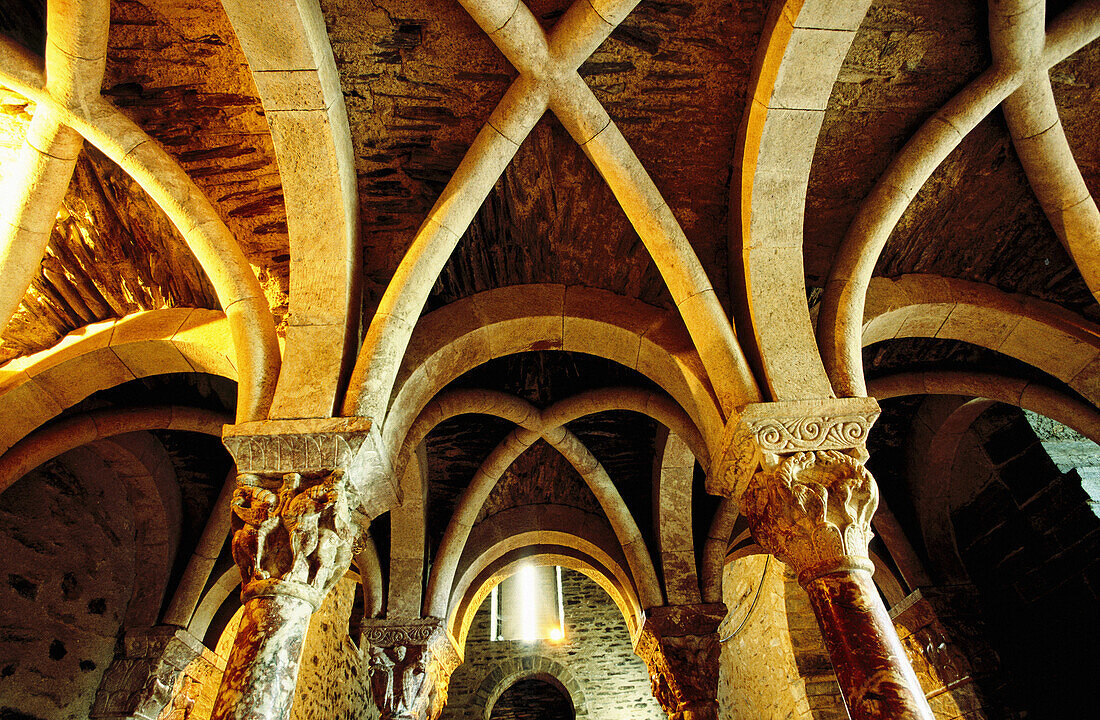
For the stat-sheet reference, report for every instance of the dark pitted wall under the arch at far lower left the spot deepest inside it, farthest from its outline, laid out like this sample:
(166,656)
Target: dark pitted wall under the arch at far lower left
(67,581)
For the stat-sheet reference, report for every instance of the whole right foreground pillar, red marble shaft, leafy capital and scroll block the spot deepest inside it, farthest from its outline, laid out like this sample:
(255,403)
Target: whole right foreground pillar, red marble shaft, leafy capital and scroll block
(797,471)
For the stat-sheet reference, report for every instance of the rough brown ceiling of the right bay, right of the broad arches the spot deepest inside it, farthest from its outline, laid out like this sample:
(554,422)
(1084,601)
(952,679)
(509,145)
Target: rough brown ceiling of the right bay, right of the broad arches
(977,218)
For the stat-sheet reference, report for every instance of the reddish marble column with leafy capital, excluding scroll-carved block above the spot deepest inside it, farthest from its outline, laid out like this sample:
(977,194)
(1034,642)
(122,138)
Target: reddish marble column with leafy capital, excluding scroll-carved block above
(813,512)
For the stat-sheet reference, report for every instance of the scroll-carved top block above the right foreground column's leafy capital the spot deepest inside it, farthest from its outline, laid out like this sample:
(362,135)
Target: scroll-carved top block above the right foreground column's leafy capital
(761,435)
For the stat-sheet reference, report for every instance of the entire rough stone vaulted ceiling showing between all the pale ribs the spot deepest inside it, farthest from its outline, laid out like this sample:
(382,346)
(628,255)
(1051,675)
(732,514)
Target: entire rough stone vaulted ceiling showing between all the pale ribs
(420,80)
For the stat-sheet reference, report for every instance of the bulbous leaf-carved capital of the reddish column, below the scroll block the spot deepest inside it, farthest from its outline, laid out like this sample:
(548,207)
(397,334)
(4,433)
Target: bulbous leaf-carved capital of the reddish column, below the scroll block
(812,509)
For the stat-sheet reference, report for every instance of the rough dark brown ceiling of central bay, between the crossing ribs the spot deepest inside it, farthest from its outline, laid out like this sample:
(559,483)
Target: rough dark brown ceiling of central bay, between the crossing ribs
(421,79)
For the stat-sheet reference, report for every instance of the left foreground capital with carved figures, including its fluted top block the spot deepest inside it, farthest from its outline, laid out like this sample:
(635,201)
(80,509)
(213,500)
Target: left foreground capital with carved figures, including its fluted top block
(304,489)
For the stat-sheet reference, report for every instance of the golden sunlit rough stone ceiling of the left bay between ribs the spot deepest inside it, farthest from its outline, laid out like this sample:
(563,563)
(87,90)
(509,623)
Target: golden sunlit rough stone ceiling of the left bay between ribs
(177,70)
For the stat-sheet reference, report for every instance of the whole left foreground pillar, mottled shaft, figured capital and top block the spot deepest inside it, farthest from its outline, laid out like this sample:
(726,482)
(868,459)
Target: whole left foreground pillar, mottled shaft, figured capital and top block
(305,492)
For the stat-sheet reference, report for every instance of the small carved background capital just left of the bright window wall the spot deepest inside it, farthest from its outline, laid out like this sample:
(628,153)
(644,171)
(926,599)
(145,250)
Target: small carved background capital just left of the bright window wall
(410,662)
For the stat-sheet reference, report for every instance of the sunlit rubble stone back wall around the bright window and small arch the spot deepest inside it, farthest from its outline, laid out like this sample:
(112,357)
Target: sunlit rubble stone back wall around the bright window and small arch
(596,663)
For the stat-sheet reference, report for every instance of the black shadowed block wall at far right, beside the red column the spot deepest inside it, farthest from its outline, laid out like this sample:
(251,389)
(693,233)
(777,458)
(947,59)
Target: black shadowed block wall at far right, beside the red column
(1030,541)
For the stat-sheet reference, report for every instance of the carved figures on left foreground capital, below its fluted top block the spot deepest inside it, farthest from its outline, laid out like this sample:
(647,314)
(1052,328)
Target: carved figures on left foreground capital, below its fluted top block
(293,534)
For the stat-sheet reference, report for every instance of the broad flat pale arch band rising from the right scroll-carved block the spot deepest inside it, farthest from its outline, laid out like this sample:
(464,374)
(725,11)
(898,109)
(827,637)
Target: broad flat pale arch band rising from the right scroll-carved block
(802,49)
